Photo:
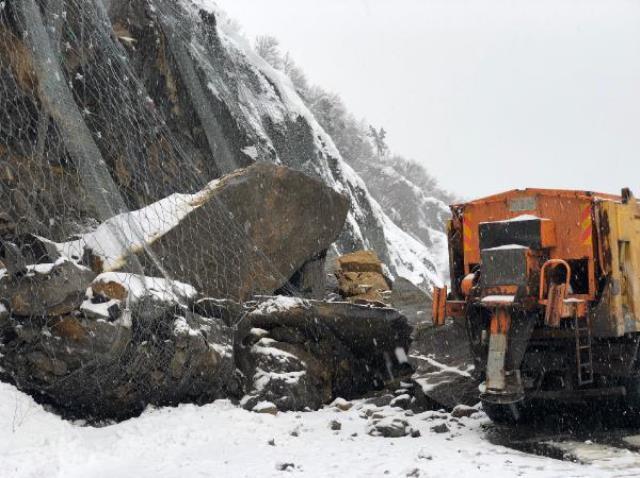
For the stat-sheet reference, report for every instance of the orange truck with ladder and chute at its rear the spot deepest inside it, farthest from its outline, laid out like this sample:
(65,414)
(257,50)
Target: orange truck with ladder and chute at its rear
(547,283)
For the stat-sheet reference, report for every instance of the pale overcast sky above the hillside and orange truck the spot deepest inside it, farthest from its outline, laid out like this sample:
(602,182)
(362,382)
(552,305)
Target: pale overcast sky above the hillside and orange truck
(488,94)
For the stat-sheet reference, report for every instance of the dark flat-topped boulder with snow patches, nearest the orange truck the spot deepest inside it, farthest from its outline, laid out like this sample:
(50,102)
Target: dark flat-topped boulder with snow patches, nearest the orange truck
(298,353)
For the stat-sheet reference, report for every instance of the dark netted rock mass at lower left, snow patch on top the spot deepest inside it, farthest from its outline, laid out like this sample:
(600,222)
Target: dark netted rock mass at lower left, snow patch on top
(91,366)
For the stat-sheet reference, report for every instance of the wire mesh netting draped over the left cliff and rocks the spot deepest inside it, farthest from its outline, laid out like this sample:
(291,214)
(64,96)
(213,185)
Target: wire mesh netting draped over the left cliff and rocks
(95,166)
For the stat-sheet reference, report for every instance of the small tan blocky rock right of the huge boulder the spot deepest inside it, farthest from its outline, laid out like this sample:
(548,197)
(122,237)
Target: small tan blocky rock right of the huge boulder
(360,277)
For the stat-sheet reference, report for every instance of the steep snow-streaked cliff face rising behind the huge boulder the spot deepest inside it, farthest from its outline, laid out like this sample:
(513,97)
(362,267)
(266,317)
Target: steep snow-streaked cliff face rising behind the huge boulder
(171,103)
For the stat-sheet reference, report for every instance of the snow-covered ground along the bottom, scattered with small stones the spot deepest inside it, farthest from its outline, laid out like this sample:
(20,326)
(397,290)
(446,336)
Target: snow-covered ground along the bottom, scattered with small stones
(221,440)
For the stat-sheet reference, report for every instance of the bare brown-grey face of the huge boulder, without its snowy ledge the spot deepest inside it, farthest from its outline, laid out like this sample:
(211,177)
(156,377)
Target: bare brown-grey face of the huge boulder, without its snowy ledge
(287,218)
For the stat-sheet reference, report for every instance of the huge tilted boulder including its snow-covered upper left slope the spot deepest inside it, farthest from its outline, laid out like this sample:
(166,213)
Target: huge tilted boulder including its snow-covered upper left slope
(245,234)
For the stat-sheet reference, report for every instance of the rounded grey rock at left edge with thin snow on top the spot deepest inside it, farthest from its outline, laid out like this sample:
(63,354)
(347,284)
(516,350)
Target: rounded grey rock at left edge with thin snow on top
(53,289)
